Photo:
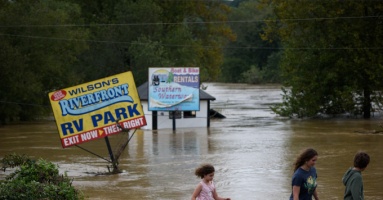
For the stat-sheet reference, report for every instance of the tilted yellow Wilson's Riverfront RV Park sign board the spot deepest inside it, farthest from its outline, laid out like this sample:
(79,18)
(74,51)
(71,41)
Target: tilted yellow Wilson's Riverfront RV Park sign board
(97,109)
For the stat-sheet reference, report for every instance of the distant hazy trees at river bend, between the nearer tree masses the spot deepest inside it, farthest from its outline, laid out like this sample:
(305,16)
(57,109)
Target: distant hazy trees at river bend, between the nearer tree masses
(250,53)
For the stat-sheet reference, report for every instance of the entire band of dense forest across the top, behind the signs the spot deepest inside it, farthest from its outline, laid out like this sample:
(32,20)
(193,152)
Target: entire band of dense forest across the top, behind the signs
(326,54)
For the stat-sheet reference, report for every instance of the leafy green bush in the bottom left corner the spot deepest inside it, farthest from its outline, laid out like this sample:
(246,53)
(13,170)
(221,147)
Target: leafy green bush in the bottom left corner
(35,180)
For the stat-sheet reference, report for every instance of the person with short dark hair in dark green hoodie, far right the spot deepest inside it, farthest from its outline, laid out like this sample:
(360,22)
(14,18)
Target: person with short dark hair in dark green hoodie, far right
(352,179)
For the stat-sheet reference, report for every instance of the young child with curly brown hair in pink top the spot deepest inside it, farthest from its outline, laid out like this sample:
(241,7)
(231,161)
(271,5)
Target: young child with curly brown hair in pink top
(205,190)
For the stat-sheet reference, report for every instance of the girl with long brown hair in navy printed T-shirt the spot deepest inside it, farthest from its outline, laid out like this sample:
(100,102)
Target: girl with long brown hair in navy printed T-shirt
(304,179)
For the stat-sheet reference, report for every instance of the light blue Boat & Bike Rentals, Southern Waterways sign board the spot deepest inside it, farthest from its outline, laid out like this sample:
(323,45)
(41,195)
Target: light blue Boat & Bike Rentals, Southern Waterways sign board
(174,89)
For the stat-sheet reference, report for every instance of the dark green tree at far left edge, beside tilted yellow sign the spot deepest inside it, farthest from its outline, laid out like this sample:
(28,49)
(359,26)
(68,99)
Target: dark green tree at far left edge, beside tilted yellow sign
(37,54)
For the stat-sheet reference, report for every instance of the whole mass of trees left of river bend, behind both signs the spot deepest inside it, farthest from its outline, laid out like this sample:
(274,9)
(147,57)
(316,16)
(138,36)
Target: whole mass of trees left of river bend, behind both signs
(49,45)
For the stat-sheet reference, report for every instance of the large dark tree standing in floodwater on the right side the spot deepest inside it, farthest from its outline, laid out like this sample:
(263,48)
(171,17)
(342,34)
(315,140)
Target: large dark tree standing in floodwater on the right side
(332,59)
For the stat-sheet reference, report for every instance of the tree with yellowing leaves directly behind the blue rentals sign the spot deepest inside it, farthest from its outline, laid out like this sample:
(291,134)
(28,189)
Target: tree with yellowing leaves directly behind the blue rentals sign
(190,37)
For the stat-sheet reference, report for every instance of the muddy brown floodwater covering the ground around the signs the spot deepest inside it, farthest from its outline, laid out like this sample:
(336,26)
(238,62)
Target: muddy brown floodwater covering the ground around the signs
(253,151)
